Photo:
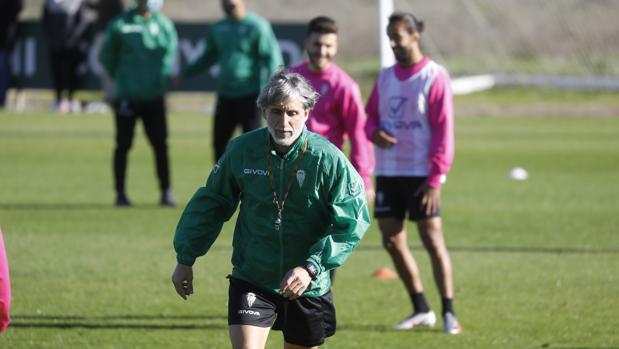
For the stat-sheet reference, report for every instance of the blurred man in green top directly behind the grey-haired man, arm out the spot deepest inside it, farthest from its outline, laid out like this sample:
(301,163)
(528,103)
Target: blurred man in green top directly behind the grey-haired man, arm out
(244,46)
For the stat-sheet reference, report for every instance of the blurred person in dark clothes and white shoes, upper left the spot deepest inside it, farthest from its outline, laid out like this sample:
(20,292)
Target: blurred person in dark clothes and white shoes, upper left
(64,23)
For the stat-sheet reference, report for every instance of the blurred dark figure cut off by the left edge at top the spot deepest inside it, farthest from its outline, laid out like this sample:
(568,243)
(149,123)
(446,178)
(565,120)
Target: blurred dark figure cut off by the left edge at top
(8,28)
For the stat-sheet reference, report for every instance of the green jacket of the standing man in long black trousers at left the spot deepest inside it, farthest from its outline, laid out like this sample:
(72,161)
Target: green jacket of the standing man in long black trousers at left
(138,53)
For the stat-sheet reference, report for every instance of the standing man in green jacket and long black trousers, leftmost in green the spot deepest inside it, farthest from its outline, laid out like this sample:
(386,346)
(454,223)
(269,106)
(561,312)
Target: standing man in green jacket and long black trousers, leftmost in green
(137,52)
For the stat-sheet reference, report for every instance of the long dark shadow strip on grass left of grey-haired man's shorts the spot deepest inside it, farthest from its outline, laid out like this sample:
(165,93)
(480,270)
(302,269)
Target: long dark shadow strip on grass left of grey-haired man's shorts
(159,322)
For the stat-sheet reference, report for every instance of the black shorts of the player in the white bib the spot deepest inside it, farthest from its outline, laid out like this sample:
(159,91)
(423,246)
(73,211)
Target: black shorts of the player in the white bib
(395,195)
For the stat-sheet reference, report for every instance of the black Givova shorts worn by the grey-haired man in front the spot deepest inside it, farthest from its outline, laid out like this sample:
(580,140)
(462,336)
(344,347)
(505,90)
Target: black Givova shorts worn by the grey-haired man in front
(305,321)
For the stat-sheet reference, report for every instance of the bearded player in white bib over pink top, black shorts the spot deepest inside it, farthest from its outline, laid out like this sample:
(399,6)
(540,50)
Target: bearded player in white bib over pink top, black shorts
(411,122)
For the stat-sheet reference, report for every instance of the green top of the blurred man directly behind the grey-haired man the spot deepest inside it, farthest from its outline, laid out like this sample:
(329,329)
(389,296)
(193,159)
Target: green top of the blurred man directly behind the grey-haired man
(247,53)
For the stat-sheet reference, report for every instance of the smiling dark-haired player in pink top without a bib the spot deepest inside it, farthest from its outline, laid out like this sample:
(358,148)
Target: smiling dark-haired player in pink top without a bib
(339,113)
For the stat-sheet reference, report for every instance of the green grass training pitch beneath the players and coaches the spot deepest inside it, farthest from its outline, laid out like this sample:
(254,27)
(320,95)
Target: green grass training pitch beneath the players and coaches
(536,262)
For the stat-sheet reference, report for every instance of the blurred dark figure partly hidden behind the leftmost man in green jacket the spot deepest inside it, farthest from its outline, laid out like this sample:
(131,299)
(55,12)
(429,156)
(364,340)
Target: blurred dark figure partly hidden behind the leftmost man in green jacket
(106,10)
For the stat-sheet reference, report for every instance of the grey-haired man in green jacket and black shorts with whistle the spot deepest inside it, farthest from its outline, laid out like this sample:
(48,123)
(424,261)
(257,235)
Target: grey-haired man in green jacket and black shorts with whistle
(303,210)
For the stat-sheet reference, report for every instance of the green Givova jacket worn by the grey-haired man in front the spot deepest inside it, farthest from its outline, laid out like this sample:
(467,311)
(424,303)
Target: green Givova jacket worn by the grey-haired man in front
(324,217)
